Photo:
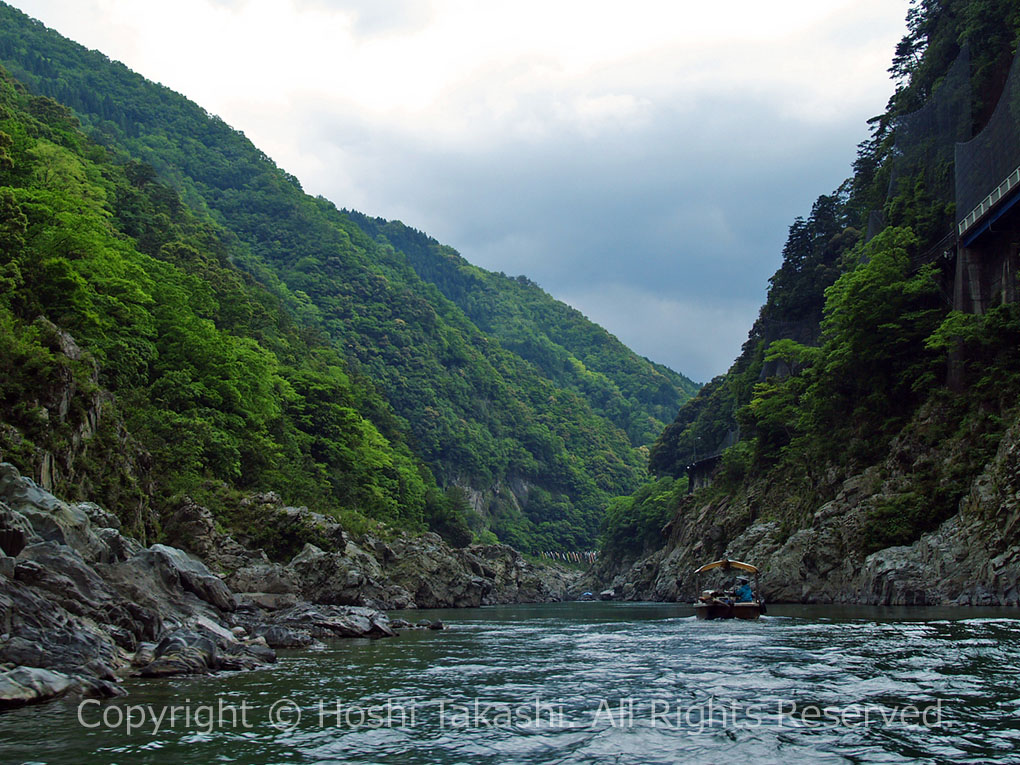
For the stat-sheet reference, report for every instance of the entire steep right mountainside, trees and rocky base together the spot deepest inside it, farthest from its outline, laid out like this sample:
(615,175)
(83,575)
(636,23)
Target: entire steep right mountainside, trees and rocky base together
(883,375)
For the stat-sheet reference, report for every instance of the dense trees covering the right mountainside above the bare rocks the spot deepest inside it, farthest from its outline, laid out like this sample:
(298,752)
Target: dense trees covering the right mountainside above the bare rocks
(858,350)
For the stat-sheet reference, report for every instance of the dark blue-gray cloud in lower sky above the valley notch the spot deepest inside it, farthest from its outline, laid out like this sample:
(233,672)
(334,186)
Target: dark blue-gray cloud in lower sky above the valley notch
(667,233)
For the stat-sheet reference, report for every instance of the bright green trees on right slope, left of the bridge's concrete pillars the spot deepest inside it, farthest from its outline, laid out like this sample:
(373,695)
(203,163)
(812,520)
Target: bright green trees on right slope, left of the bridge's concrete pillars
(872,372)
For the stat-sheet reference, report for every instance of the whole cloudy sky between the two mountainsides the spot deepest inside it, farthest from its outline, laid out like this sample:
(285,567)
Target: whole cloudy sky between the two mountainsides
(640,161)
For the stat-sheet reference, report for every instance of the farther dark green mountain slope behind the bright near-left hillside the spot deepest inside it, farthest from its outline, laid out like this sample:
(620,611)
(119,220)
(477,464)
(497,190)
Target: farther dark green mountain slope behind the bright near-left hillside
(539,452)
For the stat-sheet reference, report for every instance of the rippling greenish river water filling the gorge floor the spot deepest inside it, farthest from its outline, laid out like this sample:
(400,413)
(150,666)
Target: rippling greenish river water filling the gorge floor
(582,683)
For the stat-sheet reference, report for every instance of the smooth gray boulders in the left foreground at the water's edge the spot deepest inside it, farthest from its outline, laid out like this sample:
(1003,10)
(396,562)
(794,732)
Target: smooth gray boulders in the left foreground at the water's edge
(82,605)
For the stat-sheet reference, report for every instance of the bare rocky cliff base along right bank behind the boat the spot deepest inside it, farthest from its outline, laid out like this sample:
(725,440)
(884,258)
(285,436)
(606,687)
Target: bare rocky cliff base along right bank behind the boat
(973,558)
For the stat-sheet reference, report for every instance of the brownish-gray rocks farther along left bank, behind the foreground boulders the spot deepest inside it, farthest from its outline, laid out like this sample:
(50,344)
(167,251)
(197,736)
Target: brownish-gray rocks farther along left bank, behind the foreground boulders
(407,572)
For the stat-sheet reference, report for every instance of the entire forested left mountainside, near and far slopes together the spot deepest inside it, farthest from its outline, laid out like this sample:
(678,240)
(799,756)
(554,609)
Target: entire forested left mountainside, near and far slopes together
(249,337)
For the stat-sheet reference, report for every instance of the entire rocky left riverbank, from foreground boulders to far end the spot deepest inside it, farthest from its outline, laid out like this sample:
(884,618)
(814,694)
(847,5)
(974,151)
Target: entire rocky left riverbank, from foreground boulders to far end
(82,605)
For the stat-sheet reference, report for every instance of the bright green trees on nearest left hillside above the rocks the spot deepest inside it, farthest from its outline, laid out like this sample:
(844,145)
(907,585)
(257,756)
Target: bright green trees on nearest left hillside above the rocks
(211,377)
